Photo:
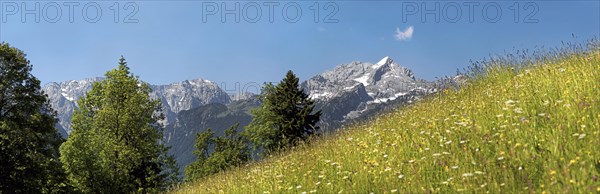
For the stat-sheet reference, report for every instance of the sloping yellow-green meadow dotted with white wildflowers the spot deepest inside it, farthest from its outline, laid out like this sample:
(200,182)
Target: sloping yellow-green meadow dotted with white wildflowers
(531,130)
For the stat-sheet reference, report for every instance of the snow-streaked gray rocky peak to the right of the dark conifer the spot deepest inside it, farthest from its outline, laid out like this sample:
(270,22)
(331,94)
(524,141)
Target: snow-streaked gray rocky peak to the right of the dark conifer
(357,90)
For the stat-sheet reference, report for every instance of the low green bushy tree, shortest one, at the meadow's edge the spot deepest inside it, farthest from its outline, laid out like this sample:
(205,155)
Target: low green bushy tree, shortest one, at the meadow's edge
(229,151)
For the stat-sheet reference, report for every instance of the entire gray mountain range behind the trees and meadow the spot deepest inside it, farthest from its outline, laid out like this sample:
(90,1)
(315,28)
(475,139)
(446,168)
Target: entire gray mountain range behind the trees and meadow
(349,93)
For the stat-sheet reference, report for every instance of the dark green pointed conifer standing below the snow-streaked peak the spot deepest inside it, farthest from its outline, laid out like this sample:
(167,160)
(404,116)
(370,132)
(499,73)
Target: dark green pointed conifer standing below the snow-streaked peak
(285,117)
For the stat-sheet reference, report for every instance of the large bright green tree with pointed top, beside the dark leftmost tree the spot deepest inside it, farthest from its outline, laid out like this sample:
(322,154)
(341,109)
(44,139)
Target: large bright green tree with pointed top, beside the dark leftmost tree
(115,145)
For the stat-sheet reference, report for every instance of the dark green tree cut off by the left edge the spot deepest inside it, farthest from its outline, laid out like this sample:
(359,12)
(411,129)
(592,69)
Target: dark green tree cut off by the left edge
(28,140)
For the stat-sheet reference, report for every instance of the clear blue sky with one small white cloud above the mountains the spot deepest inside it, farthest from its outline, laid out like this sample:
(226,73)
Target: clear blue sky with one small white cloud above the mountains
(170,41)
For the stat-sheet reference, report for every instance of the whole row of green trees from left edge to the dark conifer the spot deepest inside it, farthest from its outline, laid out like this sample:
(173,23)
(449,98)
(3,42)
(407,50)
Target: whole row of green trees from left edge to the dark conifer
(116,144)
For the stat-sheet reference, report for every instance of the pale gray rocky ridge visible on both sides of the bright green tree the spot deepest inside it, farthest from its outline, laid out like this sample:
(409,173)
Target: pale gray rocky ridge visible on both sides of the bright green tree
(175,97)
